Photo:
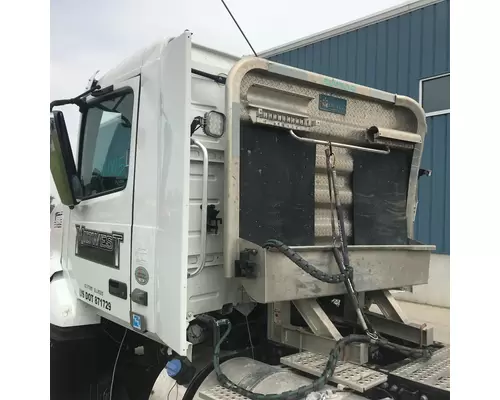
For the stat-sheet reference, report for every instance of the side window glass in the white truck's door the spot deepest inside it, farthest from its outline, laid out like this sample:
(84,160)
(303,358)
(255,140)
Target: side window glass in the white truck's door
(105,145)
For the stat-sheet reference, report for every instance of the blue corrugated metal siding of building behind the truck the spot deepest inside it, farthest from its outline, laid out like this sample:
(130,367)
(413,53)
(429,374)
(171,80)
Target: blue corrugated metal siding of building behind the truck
(394,55)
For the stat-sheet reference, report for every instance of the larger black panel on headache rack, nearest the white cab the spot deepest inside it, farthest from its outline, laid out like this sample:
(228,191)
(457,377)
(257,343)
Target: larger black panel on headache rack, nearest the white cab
(276,186)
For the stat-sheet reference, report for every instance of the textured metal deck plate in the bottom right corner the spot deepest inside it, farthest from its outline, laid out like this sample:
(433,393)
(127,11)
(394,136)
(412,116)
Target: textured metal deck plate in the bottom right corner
(434,372)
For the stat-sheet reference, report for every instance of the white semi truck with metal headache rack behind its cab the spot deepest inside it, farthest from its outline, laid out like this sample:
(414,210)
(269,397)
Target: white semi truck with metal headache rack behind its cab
(208,191)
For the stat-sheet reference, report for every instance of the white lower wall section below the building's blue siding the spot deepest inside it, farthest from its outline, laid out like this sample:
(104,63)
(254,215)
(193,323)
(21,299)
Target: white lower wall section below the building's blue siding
(437,291)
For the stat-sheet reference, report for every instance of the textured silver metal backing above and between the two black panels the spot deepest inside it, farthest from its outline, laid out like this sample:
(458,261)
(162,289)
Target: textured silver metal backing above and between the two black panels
(361,114)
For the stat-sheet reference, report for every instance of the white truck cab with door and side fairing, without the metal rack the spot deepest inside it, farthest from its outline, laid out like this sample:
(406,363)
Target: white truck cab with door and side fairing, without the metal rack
(135,232)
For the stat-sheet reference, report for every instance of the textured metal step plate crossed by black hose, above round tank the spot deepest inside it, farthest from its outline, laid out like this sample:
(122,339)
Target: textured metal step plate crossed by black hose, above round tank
(356,377)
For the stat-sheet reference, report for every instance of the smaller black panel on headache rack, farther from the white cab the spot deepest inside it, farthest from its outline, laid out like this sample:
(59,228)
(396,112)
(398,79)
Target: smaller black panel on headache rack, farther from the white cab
(380,186)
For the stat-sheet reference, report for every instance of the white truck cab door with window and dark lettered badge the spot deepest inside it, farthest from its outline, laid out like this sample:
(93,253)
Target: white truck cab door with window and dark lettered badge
(101,223)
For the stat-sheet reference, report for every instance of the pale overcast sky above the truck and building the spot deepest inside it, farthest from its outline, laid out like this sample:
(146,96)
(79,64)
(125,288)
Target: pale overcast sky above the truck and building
(95,35)
